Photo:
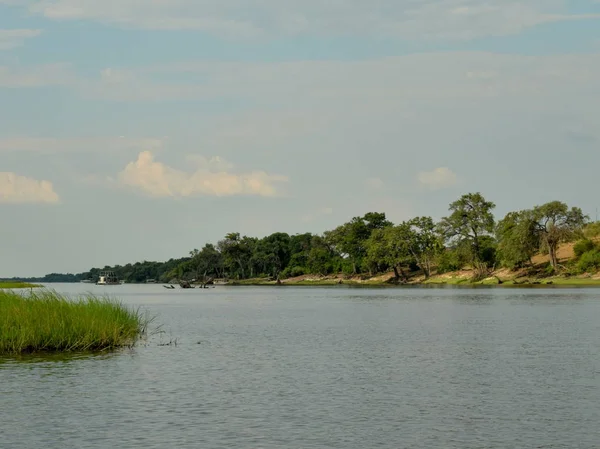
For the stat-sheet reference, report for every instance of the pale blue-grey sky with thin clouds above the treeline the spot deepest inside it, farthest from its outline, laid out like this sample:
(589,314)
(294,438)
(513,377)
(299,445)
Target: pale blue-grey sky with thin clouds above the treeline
(138,130)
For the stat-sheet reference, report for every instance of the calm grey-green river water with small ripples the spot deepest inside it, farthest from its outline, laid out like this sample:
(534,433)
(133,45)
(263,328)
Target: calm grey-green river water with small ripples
(311,367)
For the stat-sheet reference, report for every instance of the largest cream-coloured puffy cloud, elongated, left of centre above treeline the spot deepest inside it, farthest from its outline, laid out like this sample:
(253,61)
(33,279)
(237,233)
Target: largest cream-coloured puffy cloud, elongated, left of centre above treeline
(159,180)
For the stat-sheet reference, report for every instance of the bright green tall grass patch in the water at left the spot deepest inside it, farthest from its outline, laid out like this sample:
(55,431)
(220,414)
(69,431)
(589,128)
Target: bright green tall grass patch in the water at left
(48,322)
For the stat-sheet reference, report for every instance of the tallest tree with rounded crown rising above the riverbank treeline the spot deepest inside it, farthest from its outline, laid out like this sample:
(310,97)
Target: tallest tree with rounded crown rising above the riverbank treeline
(471,219)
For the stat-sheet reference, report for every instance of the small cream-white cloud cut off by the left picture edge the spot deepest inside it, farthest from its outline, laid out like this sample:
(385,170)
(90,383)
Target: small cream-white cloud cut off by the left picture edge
(21,189)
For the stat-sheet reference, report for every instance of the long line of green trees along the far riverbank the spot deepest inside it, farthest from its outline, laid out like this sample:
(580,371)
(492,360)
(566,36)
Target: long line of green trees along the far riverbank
(469,236)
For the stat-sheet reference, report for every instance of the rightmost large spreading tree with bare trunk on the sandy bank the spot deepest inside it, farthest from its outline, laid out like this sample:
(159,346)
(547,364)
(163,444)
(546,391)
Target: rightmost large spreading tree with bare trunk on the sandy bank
(556,223)
